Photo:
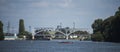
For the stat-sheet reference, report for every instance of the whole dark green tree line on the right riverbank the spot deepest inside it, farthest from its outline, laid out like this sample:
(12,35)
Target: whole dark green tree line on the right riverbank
(107,29)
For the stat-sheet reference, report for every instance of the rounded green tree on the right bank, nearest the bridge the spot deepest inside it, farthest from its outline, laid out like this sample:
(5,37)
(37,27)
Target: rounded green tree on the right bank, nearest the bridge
(97,30)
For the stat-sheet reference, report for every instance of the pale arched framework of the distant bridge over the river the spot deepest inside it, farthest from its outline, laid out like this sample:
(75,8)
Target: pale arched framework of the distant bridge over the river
(67,32)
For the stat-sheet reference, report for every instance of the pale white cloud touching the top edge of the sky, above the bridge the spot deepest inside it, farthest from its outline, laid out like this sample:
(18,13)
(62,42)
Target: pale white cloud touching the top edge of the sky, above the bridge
(61,3)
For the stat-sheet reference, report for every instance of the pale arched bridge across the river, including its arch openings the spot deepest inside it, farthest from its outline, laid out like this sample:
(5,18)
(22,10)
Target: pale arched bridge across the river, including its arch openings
(63,33)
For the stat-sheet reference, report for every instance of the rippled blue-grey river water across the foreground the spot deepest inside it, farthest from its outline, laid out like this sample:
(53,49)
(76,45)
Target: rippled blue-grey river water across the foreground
(58,46)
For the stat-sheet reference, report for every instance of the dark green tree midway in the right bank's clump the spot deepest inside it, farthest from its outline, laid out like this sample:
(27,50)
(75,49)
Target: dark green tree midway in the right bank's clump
(107,28)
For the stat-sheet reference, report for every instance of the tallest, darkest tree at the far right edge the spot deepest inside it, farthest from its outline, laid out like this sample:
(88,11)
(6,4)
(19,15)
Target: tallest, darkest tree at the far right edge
(116,27)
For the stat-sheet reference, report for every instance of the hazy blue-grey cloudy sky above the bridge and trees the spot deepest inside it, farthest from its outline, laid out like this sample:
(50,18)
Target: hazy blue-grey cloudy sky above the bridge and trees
(50,13)
